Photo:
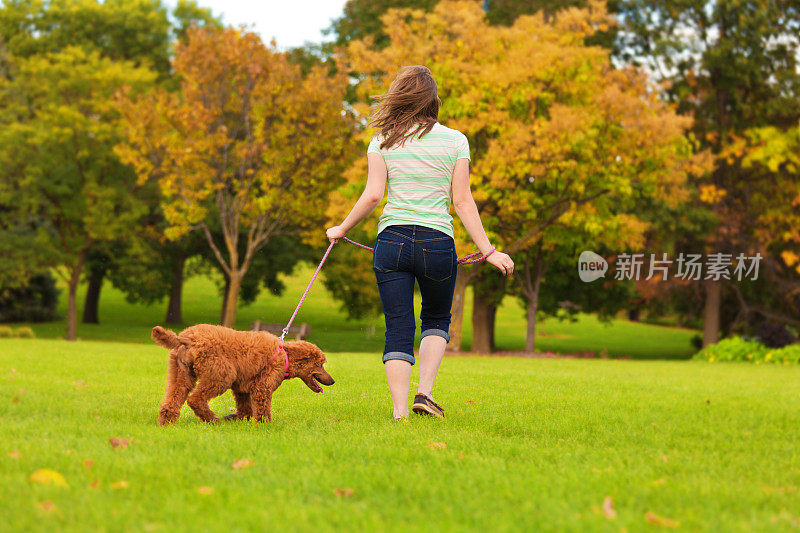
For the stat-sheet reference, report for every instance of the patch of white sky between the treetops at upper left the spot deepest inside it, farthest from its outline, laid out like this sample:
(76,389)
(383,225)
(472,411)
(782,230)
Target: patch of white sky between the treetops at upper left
(290,22)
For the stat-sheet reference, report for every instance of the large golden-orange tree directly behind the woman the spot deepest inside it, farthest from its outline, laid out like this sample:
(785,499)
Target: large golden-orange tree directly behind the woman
(560,138)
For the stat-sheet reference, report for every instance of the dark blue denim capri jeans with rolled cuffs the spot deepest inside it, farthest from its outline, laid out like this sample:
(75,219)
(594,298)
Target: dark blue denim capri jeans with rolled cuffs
(403,254)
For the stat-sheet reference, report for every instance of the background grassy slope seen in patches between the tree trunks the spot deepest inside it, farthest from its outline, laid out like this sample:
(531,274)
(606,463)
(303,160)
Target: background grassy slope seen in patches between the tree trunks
(121,321)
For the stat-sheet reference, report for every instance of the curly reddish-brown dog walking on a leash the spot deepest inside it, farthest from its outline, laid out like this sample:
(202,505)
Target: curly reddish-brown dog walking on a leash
(216,359)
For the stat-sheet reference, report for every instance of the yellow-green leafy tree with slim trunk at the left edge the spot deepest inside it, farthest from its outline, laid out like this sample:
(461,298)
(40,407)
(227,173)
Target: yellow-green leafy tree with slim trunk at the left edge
(59,128)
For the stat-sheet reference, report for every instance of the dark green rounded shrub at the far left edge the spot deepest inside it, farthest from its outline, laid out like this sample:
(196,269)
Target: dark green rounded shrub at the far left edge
(35,302)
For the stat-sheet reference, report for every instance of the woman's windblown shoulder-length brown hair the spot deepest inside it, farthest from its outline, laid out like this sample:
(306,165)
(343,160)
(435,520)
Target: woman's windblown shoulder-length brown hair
(412,100)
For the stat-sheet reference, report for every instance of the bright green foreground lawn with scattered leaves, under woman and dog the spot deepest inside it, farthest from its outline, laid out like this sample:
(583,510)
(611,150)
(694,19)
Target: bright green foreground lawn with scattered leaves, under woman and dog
(529,445)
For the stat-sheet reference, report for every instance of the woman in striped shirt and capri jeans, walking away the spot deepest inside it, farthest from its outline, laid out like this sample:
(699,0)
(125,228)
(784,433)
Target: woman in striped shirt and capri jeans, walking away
(424,161)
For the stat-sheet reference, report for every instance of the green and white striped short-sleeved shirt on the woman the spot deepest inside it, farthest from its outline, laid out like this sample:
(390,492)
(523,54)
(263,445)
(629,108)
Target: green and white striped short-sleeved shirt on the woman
(420,178)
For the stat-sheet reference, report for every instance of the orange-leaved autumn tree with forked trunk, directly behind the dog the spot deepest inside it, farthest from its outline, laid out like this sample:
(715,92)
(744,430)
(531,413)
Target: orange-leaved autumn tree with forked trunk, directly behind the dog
(247,144)
